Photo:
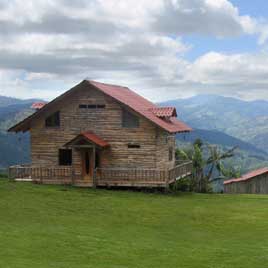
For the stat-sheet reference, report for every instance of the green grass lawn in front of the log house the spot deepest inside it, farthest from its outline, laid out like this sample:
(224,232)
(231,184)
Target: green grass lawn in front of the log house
(56,226)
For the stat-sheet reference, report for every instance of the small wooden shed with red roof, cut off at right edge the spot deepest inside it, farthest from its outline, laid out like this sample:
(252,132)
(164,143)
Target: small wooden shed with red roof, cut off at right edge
(254,182)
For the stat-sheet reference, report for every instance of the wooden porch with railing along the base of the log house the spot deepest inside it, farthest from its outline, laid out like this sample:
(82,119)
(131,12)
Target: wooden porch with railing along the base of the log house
(109,177)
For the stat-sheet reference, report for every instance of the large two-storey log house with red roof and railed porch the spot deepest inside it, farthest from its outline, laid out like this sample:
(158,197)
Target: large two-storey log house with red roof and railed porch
(100,134)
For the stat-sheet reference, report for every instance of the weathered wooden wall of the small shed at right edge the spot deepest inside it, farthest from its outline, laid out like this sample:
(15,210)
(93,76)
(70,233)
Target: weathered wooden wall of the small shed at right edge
(257,185)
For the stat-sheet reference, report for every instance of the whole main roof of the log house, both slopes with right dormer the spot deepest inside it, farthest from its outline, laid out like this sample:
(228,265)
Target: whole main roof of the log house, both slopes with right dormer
(126,97)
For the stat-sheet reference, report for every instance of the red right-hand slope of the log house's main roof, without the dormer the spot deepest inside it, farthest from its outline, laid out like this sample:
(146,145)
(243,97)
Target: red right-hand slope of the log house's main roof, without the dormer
(141,106)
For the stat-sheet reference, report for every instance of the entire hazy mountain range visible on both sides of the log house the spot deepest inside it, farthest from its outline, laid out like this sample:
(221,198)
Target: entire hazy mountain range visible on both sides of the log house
(219,120)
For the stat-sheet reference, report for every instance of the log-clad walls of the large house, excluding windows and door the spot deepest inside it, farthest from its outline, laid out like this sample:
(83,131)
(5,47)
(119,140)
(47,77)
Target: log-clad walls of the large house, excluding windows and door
(106,123)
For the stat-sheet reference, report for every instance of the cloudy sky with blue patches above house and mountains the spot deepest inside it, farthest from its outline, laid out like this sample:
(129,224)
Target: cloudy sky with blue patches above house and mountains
(162,49)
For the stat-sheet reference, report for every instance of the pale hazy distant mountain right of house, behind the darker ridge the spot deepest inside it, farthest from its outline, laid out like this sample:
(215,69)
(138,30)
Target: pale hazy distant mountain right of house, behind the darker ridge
(247,121)
